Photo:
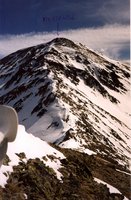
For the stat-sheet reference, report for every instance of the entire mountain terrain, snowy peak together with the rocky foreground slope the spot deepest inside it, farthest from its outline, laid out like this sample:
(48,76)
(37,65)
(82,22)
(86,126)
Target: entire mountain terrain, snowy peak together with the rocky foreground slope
(68,95)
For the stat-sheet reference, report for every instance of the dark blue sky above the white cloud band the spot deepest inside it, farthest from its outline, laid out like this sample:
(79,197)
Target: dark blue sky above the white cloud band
(24,16)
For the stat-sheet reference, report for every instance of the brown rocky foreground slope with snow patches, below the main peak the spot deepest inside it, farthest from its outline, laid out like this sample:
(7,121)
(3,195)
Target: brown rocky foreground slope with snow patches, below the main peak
(35,170)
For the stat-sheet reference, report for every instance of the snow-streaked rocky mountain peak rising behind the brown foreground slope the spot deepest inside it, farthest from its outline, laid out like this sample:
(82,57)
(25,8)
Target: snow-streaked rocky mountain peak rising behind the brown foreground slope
(69,95)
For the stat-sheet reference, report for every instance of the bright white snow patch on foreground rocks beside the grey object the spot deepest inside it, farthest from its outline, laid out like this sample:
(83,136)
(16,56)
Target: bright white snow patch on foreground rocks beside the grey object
(33,147)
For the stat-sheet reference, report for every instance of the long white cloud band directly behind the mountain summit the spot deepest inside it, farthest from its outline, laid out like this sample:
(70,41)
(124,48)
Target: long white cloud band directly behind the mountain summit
(111,39)
